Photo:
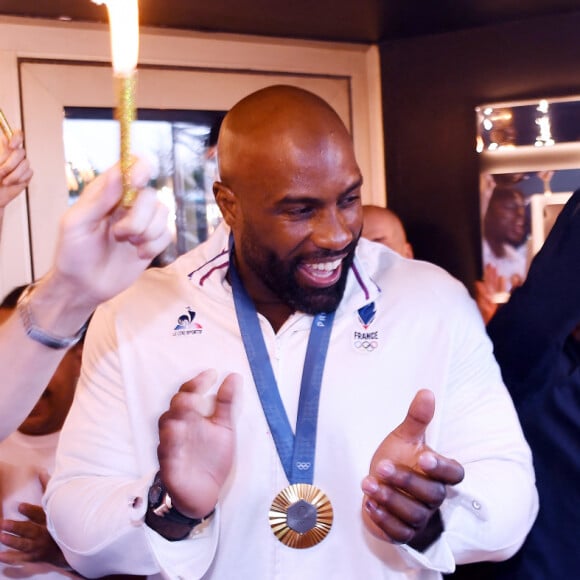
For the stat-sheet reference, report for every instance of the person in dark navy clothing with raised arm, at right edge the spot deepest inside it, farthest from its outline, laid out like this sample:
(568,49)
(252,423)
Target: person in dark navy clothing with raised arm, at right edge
(536,342)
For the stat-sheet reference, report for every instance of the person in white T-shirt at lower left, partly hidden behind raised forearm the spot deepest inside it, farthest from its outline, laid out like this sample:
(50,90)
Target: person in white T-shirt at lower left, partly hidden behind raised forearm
(27,457)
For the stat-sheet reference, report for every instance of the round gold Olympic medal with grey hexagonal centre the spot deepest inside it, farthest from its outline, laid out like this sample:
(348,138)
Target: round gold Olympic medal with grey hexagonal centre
(301,515)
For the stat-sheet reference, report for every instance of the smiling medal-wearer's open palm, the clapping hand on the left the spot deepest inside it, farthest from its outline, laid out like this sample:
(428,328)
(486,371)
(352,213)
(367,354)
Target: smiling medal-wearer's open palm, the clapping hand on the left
(196,443)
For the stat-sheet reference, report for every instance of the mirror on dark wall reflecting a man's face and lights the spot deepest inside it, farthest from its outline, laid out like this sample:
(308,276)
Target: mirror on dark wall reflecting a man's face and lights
(529,158)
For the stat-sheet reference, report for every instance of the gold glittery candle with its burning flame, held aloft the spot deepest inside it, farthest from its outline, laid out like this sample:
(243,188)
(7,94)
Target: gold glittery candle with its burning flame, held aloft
(124,25)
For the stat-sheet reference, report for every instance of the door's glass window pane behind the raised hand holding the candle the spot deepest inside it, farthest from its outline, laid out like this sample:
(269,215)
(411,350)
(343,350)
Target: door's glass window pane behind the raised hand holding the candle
(180,146)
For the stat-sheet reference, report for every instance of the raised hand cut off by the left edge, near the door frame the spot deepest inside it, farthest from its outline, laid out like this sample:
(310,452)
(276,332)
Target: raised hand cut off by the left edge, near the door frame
(15,171)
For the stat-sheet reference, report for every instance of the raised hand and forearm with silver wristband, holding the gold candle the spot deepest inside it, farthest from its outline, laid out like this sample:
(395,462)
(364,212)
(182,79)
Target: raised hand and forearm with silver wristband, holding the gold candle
(102,249)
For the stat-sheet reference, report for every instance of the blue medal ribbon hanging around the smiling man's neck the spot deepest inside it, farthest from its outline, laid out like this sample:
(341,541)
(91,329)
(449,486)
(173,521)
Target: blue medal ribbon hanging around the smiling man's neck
(296,452)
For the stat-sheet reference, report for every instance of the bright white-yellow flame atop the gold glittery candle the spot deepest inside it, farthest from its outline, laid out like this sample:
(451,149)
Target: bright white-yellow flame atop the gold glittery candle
(124,25)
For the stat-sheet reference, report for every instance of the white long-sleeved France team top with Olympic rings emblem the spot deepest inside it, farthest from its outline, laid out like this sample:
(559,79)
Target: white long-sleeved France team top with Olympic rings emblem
(172,324)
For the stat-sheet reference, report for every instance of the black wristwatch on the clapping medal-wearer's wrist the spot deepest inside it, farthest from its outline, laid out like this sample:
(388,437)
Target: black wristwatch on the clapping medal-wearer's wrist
(164,518)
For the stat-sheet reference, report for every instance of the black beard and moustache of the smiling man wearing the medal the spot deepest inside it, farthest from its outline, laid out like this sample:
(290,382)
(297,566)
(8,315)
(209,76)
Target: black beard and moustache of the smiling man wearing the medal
(280,277)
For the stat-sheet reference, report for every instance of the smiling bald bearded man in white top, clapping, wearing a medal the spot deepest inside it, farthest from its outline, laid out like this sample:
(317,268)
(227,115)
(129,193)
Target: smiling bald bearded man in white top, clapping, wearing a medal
(288,400)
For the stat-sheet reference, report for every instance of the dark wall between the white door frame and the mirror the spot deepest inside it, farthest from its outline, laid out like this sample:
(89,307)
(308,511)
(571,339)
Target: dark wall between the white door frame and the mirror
(431,87)
